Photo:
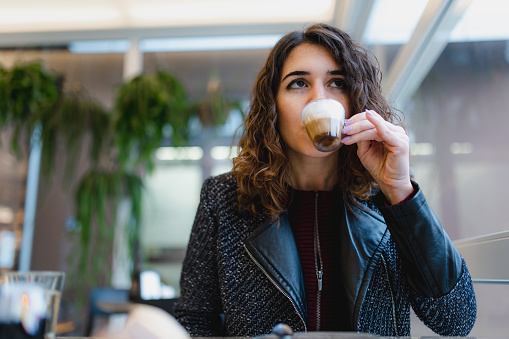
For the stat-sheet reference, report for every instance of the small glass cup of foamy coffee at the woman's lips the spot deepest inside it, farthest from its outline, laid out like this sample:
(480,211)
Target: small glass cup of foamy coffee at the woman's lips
(324,120)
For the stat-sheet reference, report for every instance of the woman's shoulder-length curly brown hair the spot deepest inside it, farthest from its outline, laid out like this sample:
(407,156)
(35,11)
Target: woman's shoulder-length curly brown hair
(261,166)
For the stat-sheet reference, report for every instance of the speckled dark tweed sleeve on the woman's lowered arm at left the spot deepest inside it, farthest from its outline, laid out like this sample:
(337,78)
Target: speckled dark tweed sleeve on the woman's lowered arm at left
(199,306)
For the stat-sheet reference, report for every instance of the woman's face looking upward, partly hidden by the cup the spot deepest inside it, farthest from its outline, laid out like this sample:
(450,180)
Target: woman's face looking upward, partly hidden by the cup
(309,73)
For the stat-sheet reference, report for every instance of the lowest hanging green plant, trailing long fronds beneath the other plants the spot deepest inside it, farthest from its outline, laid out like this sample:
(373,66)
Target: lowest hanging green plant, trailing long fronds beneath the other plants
(96,200)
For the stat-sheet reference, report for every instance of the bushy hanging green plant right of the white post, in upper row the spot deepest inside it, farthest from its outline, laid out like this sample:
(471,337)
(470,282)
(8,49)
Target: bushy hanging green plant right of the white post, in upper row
(143,107)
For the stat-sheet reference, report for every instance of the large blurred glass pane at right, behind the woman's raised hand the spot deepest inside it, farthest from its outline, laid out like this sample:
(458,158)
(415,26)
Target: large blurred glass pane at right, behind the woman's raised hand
(457,120)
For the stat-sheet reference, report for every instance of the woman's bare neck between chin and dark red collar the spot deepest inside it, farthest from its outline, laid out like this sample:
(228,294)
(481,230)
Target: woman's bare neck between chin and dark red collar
(313,174)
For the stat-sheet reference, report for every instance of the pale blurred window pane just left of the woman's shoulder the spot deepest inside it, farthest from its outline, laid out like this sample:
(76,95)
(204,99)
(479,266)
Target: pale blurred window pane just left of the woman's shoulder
(170,200)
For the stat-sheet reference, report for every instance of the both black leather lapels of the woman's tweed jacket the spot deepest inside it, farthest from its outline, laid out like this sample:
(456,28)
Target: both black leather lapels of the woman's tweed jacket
(363,233)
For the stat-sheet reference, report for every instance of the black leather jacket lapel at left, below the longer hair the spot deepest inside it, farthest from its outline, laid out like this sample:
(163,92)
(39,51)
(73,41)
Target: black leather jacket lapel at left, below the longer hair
(272,246)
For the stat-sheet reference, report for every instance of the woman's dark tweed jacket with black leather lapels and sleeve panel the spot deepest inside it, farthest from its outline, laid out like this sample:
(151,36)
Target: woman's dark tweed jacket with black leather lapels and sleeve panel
(393,257)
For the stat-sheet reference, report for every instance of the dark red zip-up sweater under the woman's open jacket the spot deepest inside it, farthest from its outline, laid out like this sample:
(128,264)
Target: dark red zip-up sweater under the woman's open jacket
(301,213)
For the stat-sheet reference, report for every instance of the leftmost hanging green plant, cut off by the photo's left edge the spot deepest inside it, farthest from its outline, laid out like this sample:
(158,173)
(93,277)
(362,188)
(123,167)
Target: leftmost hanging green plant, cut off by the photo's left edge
(28,90)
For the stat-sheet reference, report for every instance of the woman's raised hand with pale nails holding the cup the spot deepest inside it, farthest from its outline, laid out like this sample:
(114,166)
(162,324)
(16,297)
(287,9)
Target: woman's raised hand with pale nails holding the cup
(384,150)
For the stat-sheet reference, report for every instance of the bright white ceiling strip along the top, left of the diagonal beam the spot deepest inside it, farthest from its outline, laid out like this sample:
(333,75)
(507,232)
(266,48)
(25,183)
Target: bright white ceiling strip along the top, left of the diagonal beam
(56,21)
